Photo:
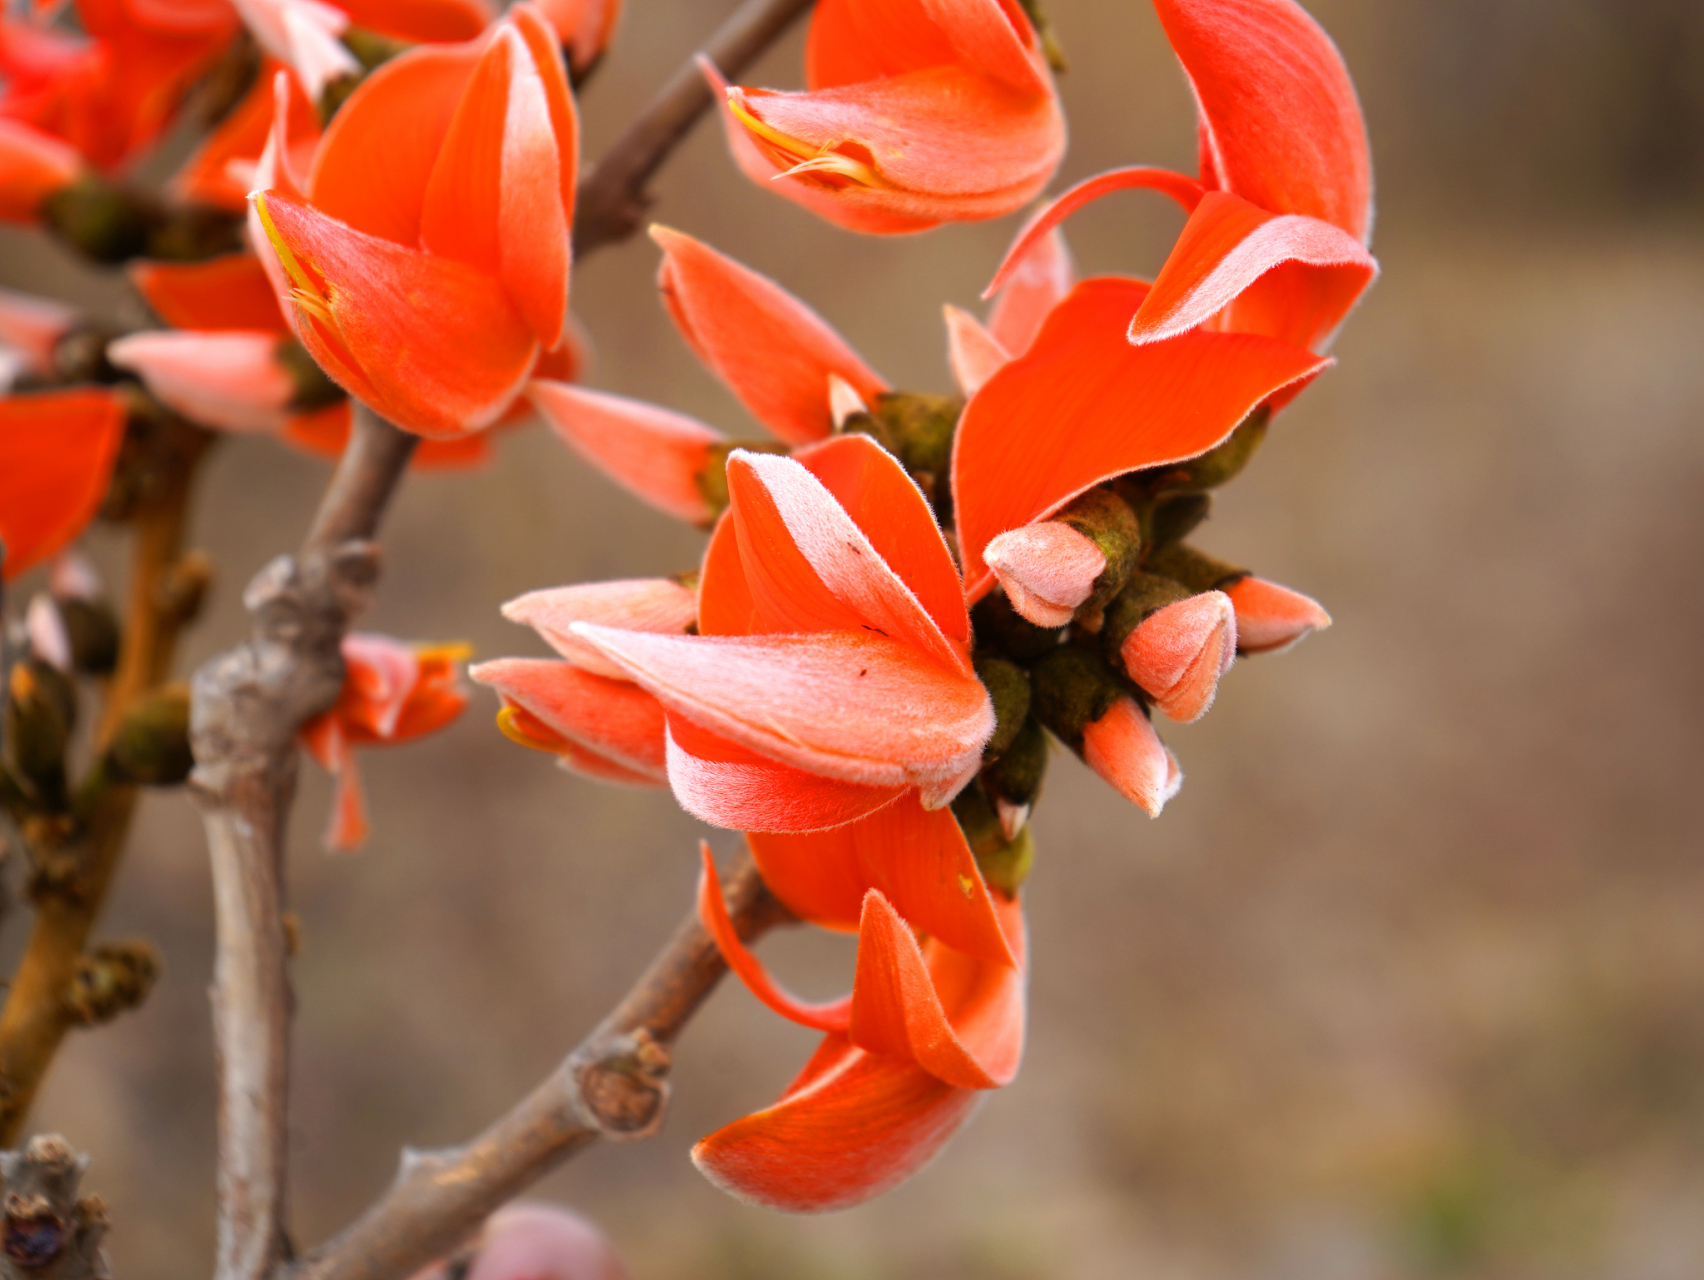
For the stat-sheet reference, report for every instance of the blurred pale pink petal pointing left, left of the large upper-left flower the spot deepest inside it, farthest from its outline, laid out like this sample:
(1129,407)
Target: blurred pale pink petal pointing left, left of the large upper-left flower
(231,381)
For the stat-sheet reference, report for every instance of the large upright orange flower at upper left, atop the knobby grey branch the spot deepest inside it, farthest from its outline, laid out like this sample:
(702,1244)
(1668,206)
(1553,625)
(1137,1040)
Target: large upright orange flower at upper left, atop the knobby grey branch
(427,258)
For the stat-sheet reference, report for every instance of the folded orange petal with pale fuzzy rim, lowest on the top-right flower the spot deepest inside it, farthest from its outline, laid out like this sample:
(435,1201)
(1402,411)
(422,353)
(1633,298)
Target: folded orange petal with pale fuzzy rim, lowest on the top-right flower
(1286,277)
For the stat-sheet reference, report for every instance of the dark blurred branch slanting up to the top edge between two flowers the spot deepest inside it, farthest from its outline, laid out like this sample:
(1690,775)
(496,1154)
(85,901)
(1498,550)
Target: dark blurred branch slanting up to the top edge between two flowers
(613,200)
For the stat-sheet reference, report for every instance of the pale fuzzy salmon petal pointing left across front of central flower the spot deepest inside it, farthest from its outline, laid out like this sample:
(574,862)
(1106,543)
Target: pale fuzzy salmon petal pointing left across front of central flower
(849,706)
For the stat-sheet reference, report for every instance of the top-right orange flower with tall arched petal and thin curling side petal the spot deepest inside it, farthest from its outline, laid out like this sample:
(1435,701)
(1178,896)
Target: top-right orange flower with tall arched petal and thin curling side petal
(1282,216)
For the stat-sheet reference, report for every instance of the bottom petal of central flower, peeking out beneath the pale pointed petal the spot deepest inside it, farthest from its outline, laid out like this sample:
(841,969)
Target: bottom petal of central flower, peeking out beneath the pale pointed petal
(730,787)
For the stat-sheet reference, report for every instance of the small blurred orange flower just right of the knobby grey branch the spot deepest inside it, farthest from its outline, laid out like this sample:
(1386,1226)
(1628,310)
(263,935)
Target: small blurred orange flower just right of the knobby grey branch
(393,693)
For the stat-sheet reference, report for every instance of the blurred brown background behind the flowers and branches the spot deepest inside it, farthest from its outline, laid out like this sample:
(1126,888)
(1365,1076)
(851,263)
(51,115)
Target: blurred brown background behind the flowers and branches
(1408,983)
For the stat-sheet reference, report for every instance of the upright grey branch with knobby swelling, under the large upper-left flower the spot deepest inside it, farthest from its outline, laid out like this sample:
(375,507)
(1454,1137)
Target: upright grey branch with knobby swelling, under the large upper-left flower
(248,708)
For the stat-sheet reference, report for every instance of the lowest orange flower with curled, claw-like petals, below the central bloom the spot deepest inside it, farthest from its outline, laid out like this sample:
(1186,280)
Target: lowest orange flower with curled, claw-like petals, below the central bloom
(899,1073)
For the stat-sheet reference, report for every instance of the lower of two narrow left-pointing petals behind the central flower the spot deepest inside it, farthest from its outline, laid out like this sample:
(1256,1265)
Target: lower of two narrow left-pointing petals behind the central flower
(613,718)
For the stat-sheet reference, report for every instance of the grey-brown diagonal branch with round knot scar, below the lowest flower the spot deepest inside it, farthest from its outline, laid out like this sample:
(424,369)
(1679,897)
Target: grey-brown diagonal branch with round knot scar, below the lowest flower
(614,1087)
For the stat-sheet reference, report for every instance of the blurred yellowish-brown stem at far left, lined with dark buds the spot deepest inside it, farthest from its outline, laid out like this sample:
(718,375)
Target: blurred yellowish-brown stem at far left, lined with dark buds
(163,597)
